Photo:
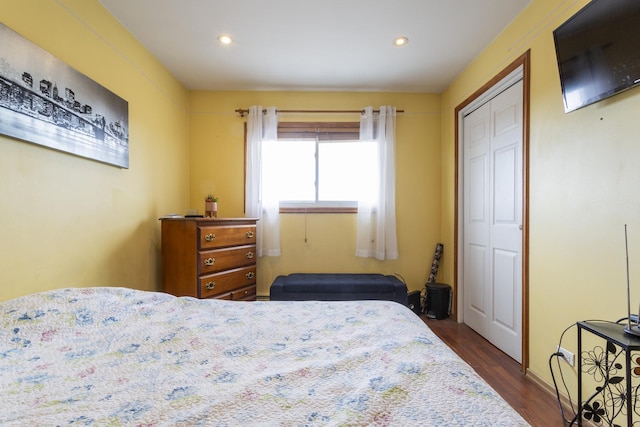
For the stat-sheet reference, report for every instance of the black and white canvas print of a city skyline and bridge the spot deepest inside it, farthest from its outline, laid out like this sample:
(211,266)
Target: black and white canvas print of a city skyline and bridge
(47,102)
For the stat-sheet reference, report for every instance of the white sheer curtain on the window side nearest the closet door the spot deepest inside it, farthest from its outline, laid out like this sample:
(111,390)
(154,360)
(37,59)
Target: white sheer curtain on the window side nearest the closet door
(376,234)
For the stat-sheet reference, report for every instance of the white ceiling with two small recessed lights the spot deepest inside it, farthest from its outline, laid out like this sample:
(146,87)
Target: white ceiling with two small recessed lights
(339,45)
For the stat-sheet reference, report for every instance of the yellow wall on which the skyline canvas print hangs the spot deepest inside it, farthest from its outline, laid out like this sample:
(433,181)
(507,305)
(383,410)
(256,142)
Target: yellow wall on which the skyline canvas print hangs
(69,221)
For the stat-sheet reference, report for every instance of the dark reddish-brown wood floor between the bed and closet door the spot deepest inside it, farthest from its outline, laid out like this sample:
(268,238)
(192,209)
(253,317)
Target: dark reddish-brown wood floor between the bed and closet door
(536,405)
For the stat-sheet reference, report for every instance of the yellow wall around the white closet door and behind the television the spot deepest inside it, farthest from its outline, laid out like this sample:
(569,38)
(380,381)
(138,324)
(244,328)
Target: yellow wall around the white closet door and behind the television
(584,178)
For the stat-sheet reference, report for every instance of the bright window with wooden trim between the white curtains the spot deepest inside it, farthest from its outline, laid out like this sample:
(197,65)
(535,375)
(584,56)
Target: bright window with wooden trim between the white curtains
(320,167)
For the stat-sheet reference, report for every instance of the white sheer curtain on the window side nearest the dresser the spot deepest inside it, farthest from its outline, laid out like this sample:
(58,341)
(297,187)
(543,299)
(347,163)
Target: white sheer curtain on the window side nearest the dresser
(261,201)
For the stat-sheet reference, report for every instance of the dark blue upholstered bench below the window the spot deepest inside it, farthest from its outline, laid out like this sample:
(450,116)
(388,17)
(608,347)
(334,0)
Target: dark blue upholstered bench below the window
(338,287)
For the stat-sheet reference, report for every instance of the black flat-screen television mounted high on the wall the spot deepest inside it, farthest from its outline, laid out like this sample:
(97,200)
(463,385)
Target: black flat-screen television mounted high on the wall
(598,52)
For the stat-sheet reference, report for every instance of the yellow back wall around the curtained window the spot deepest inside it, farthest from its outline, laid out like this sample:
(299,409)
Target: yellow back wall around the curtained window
(217,166)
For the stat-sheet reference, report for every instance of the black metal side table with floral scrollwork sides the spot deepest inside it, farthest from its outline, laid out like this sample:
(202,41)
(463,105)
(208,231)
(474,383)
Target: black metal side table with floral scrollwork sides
(614,393)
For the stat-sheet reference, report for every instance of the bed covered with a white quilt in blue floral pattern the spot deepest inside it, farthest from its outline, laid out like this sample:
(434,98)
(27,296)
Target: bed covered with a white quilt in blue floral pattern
(118,356)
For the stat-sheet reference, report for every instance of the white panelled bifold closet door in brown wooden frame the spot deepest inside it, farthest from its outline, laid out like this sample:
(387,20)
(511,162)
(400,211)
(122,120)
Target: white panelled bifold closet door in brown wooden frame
(492,225)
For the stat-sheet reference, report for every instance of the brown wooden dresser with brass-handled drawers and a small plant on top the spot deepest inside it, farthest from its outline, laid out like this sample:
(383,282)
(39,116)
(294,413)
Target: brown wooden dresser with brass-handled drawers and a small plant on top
(209,257)
